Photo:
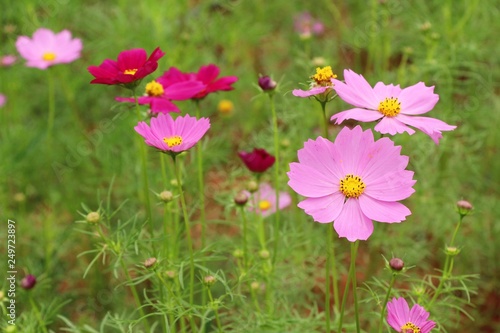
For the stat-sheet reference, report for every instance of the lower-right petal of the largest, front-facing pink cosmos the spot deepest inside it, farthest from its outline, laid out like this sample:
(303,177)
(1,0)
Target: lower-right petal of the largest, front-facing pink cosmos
(381,211)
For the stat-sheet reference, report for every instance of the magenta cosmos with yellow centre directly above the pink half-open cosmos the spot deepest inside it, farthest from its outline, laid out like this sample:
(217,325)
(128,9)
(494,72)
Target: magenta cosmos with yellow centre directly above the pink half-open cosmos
(160,93)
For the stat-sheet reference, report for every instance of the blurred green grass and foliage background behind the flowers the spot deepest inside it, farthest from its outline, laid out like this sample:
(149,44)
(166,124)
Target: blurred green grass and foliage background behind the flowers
(91,159)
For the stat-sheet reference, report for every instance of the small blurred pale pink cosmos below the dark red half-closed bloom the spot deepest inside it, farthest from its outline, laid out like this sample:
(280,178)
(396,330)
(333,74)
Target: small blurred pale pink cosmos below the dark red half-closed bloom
(263,201)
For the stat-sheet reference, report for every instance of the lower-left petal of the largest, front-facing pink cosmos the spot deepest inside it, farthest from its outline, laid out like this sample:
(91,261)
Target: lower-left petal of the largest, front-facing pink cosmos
(323,209)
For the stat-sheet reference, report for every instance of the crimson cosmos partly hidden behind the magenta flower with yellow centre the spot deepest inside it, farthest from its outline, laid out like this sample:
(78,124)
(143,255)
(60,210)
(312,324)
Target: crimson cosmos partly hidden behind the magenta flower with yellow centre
(207,75)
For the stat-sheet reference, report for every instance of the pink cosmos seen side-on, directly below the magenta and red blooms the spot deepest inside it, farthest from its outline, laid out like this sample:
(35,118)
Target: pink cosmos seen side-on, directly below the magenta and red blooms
(173,136)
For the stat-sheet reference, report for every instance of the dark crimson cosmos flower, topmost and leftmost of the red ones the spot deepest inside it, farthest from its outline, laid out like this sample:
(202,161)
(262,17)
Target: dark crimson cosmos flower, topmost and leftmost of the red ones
(130,67)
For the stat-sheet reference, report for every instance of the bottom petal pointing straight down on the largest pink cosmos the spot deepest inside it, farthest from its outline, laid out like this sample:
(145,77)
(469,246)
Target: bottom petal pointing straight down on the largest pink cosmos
(352,223)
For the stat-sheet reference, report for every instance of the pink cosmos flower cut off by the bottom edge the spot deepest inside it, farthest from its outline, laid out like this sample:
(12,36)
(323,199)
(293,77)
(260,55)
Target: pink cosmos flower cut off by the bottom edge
(404,320)
